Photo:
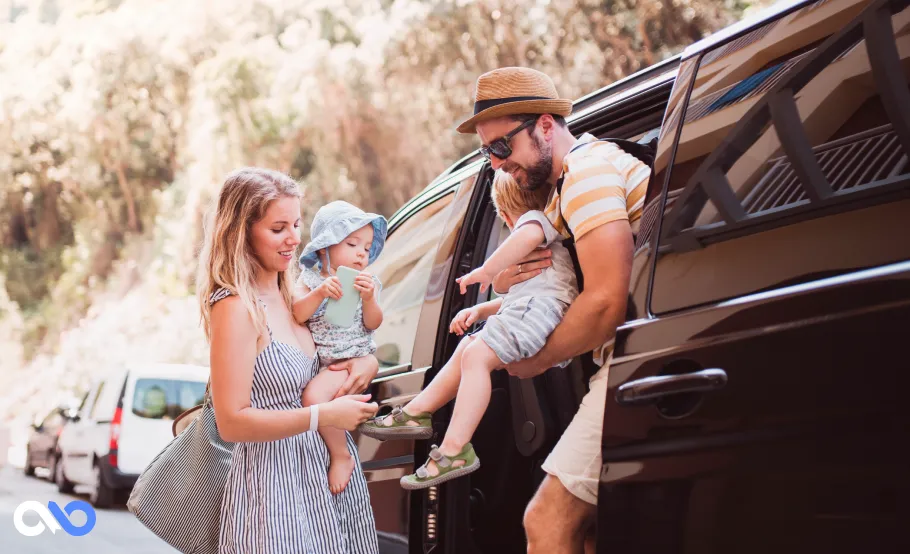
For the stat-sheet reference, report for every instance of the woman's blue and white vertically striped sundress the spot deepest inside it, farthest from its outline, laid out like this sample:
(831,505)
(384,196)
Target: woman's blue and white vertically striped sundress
(277,499)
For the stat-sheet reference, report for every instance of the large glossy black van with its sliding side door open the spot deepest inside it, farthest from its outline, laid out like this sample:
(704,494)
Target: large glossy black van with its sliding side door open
(754,395)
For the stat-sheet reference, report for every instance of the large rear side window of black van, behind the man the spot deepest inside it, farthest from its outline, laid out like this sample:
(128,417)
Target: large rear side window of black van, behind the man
(792,160)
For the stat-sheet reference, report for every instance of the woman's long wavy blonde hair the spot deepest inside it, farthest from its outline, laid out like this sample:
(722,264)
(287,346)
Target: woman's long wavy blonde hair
(227,259)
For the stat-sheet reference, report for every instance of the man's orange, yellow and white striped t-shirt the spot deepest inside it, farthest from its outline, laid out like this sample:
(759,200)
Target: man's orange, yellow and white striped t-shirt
(601,184)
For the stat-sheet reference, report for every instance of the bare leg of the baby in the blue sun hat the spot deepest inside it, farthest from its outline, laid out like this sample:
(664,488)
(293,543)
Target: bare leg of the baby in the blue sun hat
(323,388)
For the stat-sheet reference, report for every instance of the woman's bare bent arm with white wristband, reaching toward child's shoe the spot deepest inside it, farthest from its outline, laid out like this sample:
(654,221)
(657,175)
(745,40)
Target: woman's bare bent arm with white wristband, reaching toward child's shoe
(232,357)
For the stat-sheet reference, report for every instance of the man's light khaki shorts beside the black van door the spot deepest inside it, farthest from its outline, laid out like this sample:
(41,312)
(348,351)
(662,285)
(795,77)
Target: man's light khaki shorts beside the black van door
(575,460)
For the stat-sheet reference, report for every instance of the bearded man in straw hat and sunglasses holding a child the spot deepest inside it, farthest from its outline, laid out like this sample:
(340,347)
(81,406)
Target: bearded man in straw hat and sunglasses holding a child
(597,194)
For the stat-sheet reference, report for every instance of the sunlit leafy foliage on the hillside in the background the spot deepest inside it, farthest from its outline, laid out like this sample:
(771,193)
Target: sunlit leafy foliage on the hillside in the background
(119,118)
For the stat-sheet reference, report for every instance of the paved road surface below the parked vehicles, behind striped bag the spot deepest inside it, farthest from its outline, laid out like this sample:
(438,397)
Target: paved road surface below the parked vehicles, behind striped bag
(115,530)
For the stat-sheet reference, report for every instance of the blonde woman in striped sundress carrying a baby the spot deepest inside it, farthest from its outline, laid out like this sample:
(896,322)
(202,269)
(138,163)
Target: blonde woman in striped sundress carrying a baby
(277,497)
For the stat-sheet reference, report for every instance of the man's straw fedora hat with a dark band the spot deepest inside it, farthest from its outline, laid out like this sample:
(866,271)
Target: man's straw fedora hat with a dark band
(512,91)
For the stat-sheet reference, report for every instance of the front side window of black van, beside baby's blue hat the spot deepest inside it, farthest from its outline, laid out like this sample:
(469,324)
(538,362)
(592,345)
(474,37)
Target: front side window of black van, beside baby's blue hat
(404,268)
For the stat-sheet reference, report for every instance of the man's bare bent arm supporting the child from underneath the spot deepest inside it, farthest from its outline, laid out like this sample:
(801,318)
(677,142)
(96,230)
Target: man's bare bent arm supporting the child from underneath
(605,256)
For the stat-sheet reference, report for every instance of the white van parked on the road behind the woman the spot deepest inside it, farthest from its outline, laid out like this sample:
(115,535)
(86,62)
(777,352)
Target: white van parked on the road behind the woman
(123,423)
